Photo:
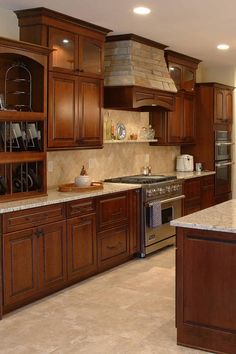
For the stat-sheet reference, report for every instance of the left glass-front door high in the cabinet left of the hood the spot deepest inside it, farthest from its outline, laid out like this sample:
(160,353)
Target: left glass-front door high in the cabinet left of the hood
(63,45)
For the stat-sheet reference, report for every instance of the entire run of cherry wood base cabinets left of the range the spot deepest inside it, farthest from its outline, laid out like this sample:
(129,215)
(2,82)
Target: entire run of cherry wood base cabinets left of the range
(50,247)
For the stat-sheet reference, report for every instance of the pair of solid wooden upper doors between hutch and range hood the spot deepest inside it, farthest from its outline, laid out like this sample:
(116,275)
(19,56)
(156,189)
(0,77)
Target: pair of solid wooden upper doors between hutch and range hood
(75,111)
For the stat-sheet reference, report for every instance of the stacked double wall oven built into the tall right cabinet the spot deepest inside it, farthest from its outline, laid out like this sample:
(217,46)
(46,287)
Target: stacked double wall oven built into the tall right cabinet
(223,163)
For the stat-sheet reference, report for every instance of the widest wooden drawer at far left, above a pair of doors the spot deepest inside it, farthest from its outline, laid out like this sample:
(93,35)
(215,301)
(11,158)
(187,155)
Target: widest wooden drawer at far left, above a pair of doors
(24,219)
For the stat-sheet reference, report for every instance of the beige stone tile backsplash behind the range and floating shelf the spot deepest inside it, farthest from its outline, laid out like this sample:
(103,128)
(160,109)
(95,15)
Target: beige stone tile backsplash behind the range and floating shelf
(114,159)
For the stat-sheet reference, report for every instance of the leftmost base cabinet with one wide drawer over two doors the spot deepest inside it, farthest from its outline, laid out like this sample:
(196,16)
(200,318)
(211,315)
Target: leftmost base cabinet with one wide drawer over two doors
(33,254)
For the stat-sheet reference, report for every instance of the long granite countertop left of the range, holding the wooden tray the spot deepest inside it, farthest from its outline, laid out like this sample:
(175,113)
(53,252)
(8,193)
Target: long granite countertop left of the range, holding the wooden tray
(55,197)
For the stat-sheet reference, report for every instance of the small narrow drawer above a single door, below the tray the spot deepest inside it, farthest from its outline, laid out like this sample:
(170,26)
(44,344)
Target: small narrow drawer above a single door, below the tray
(80,207)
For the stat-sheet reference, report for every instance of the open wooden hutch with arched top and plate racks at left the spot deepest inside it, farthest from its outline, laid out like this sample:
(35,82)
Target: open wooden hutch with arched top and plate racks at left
(23,117)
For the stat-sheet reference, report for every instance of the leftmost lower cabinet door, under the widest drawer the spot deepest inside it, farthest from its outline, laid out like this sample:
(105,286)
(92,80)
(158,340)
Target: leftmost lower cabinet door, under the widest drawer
(19,266)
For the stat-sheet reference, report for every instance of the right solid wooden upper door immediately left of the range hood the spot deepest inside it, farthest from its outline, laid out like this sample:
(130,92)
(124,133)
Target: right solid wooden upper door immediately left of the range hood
(90,128)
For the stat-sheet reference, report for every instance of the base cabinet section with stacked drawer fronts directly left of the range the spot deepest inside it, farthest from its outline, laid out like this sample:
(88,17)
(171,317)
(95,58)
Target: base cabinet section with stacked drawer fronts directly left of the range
(118,228)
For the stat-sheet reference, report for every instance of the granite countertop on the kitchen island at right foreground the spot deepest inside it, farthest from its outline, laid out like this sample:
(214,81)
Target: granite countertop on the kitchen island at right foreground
(220,217)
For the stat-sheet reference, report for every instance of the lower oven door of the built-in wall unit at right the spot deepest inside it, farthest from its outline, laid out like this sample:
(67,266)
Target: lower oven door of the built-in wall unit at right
(223,177)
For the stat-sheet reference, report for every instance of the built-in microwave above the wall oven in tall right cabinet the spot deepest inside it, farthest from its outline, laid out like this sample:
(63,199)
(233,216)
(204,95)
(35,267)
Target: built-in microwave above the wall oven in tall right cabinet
(223,145)
